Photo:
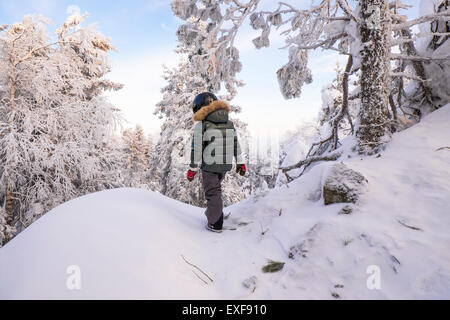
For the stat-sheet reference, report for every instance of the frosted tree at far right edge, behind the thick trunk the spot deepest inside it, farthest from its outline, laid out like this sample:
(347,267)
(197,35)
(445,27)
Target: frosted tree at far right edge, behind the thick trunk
(422,66)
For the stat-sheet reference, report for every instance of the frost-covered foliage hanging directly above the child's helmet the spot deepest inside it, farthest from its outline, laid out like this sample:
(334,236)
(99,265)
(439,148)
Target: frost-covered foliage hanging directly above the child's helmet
(209,31)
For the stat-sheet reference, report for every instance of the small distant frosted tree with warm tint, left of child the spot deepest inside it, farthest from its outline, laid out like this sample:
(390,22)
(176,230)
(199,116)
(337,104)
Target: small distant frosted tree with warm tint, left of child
(136,151)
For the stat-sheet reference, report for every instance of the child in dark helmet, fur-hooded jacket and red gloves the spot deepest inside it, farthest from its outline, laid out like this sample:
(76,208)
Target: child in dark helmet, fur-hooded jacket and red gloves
(214,145)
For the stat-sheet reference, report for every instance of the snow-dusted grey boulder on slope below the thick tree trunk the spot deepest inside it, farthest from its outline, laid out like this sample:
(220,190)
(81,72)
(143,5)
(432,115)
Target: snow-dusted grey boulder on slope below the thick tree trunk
(343,185)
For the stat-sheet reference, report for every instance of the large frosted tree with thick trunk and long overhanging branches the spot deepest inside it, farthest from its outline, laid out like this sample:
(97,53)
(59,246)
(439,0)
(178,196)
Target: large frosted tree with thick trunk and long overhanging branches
(367,33)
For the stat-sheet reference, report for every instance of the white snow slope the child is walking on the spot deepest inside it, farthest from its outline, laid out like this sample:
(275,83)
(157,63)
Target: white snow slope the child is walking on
(128,243)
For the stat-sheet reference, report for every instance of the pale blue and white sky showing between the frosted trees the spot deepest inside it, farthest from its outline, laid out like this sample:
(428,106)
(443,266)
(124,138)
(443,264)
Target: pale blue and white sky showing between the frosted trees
(143,31)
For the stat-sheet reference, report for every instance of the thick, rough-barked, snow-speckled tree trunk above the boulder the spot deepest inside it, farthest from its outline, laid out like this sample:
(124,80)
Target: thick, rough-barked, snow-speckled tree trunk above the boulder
(373,131)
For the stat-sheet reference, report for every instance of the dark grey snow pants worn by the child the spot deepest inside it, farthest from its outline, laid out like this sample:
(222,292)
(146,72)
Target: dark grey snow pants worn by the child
(213,194)
